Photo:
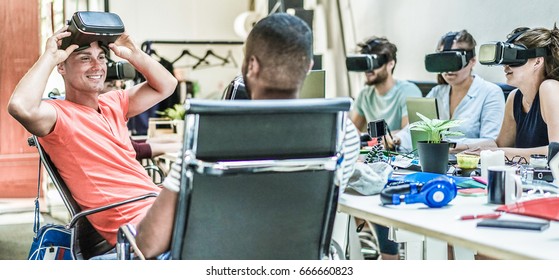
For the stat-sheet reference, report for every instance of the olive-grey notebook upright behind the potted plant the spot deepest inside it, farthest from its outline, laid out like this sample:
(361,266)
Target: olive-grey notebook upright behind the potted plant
(425,106)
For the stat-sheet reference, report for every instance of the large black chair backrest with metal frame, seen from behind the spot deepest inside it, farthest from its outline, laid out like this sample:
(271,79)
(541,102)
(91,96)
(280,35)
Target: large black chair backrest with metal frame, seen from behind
(258,181)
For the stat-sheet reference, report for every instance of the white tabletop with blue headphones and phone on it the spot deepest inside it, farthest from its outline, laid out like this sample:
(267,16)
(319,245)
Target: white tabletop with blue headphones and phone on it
(443,224)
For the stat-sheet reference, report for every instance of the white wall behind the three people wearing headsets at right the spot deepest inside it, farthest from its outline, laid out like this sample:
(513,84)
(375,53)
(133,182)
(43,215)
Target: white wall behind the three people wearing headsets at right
(416,26)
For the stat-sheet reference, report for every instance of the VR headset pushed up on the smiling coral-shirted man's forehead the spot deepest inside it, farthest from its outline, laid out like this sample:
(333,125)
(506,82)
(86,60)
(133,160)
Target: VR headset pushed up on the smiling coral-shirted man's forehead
(88,27)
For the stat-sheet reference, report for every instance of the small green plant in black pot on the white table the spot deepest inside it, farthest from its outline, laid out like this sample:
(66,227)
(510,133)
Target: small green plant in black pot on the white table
(433,153)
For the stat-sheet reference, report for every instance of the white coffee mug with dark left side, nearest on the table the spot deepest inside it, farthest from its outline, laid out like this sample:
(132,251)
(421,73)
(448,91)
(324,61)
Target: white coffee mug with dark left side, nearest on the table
(503,185)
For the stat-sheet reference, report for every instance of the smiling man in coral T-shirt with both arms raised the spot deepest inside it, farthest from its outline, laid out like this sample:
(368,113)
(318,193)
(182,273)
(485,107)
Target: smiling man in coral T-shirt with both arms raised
(86,134)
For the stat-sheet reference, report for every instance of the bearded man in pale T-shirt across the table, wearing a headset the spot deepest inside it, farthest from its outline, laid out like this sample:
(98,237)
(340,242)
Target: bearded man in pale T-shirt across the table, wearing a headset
(383,96)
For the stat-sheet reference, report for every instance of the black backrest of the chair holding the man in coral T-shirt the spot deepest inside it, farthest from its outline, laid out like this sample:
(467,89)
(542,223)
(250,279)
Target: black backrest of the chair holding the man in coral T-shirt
(86,241)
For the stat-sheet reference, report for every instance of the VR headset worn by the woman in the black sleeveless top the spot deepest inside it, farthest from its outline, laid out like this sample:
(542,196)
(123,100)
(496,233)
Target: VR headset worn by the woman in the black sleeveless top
(506,53)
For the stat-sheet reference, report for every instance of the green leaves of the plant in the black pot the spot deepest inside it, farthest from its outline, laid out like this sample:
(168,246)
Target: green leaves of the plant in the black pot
(436,129)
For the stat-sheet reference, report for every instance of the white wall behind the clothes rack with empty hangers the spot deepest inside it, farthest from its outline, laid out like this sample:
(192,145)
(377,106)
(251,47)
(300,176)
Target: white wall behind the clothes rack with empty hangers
(192,20)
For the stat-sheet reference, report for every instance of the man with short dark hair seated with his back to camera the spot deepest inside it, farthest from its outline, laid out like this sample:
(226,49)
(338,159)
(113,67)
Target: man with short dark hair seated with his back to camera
(278,56)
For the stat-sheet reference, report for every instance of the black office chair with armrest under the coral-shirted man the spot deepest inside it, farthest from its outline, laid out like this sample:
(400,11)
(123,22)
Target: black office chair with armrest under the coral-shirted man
(86,241)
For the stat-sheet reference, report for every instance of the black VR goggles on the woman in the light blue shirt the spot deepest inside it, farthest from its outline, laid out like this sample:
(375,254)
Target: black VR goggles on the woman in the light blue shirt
(448,60)
